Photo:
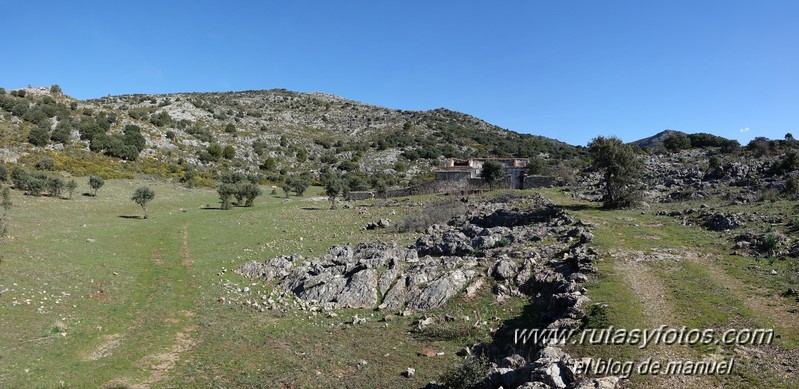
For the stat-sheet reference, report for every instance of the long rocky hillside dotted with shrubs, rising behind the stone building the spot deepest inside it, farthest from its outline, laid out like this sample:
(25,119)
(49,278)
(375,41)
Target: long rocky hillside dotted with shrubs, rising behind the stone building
(274,133)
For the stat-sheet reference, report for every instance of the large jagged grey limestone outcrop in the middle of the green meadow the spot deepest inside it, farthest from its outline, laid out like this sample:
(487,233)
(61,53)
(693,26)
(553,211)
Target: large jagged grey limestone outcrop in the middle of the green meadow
(492,240)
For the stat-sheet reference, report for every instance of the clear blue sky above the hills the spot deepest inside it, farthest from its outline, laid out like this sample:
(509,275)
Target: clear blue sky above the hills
(570,70)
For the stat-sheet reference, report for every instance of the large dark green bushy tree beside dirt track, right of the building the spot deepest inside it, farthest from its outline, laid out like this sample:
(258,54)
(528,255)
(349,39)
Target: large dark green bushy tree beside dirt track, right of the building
(622,170)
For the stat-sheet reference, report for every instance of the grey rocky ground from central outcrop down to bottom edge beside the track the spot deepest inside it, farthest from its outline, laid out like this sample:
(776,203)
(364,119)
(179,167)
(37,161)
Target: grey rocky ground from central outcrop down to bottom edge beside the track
(524,246)
